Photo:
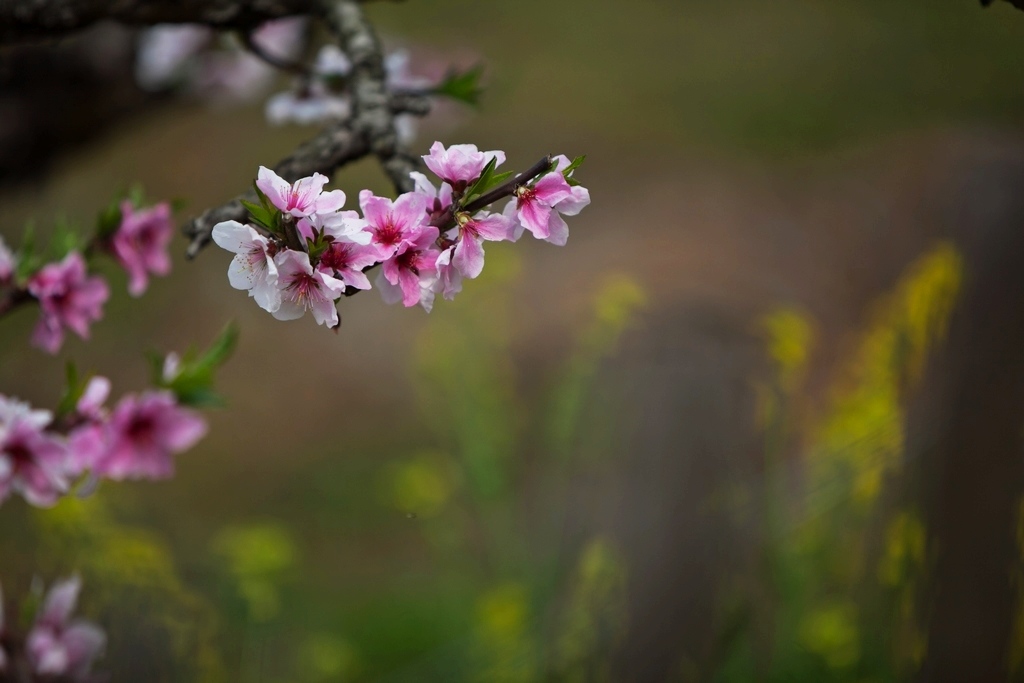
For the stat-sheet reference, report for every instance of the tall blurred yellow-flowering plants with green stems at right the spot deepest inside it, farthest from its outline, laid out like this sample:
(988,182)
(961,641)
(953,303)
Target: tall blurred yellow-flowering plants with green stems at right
(838,588)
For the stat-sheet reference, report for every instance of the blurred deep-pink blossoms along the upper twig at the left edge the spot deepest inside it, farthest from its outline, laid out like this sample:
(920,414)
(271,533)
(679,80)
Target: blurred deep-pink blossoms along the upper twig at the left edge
(71,298)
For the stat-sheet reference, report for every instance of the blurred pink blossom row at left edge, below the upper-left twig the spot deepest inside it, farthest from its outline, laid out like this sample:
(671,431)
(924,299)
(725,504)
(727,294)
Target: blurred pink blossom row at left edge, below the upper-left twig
(40,457)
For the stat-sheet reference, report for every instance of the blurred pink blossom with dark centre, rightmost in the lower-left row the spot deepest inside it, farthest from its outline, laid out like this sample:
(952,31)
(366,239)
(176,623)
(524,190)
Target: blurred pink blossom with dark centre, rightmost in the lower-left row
(143,435)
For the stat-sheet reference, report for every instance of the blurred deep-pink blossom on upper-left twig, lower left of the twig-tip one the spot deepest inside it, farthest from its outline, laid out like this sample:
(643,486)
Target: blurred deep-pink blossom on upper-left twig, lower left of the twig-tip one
(68,298)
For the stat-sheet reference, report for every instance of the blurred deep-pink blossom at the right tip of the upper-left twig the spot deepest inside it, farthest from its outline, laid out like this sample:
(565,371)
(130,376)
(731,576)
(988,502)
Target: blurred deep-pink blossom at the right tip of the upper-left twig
(141,244)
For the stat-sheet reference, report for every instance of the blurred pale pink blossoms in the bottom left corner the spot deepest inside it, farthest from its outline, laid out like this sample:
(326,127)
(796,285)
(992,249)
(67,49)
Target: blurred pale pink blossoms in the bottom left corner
(57,648)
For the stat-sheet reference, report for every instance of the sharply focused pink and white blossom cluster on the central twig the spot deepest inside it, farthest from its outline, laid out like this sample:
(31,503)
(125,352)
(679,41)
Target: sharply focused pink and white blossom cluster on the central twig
(302,252)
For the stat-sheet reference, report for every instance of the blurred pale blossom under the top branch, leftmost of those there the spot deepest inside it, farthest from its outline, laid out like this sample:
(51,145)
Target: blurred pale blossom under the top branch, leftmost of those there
(164,53)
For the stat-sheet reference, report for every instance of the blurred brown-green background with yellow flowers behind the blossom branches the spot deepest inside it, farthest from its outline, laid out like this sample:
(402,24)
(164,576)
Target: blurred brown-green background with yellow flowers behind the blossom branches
(760,420)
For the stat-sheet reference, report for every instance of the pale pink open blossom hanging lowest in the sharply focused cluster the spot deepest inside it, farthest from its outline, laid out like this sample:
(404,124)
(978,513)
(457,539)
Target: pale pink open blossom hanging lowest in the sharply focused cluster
(304,289)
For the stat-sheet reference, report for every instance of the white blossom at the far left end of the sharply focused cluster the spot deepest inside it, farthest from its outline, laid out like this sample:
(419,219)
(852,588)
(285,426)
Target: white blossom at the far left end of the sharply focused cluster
(253,268)
